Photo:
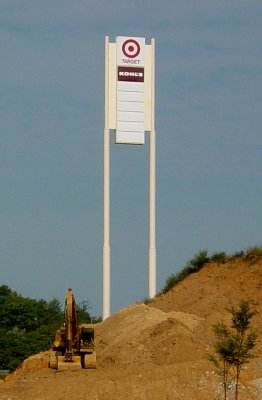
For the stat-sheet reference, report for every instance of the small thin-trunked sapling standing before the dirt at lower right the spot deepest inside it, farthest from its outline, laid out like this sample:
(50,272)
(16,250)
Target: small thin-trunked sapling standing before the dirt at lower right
(234,345)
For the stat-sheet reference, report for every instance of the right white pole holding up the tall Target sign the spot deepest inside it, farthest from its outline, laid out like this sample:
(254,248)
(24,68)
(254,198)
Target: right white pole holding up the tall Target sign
(152,187)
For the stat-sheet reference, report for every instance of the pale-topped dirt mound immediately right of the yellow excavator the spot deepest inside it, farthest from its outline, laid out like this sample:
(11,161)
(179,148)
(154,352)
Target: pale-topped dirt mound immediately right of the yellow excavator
(140,334)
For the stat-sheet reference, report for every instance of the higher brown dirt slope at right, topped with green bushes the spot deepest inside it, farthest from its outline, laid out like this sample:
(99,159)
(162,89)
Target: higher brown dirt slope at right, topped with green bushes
(216,287)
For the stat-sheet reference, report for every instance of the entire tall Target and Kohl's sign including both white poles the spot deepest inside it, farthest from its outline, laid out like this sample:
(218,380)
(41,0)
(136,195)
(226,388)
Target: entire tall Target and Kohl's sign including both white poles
(129,111)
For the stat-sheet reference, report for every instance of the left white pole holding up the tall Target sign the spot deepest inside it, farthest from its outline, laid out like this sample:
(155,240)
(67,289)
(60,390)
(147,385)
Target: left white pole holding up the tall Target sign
(106,245)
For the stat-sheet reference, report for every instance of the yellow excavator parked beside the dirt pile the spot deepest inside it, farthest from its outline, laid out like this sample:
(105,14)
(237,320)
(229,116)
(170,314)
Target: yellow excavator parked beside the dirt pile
(73,346)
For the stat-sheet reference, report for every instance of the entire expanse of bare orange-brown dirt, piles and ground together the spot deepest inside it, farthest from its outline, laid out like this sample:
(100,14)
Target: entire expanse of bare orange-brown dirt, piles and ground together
(156,351)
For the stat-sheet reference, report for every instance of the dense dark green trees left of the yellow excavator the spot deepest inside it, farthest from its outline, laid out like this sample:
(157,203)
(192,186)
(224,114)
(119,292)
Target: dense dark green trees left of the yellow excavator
(26,326)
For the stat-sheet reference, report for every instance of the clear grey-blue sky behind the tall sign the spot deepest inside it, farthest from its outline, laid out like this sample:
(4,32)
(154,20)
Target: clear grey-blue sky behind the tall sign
(208,143)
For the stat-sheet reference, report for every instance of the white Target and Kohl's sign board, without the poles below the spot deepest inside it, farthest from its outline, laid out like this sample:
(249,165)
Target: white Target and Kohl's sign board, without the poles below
(129,88)
